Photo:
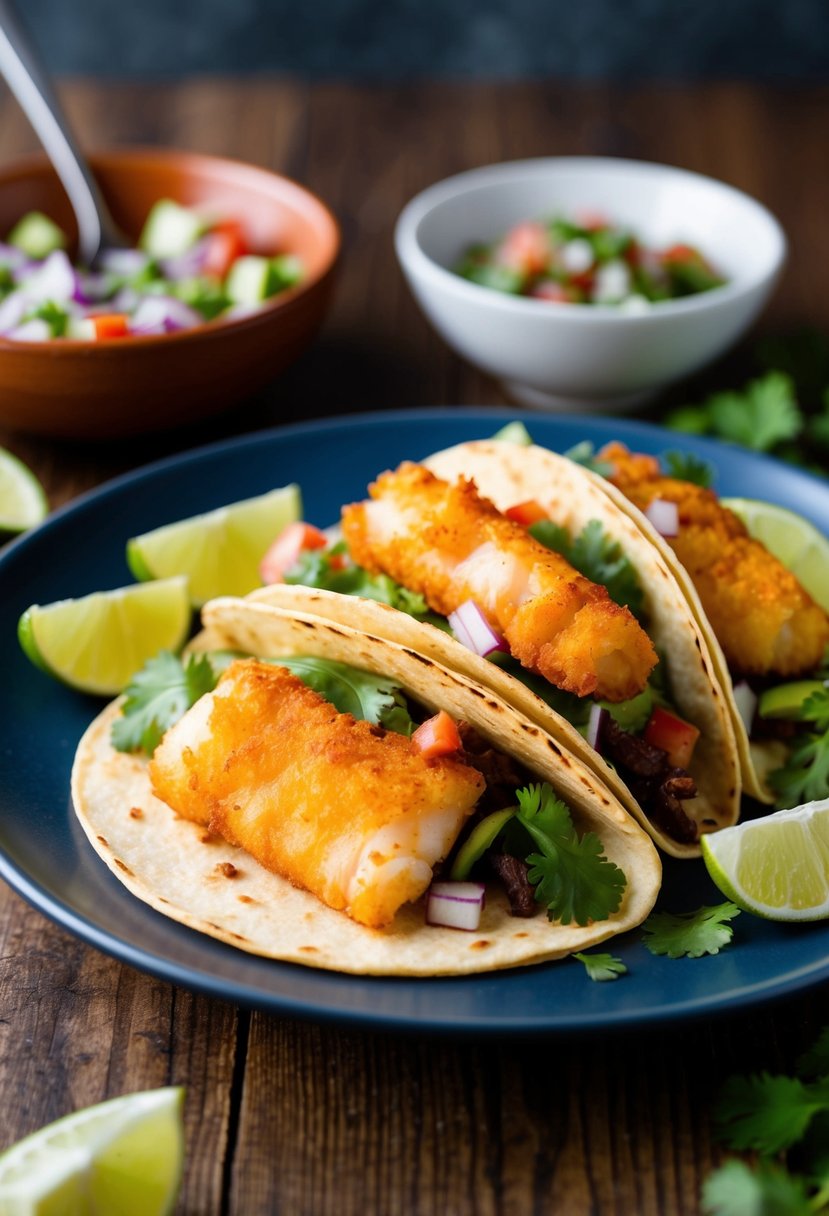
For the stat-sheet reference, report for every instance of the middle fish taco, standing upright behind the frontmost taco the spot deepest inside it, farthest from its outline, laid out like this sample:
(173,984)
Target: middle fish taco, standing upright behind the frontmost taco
(494,538)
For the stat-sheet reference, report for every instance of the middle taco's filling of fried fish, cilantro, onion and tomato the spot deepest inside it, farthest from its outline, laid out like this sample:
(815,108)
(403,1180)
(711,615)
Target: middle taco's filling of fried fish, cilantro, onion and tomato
(562,613)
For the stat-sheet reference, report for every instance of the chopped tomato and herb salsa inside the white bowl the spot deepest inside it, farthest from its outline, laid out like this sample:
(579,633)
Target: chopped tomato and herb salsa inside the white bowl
(588,261)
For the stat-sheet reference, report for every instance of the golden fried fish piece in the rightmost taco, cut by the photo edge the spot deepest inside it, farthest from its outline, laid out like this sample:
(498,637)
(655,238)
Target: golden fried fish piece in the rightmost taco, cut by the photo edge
(764,620)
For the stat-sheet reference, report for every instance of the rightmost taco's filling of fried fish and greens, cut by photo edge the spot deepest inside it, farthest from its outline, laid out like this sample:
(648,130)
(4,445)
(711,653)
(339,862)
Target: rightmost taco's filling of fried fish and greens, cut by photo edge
(772,634)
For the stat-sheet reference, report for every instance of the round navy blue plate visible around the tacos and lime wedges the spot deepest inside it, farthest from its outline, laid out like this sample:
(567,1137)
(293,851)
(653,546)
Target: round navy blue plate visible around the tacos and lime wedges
(46,858)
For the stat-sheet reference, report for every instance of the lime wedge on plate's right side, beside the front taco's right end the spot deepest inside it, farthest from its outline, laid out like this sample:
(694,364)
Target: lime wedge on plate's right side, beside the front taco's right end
(776,868)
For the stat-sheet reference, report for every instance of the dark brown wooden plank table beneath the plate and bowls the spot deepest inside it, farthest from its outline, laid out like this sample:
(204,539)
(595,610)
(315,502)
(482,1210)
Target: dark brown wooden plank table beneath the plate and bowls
(292,1118)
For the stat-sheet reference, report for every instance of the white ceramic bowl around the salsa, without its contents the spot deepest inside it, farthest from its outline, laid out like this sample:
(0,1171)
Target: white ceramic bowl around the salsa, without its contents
(580,356)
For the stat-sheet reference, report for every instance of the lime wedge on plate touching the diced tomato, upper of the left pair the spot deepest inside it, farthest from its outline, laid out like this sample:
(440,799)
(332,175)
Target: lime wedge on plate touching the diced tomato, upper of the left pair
(219,551)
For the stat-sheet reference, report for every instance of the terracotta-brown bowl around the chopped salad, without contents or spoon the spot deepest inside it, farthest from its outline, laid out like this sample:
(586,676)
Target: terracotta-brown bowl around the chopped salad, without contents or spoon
(131,386)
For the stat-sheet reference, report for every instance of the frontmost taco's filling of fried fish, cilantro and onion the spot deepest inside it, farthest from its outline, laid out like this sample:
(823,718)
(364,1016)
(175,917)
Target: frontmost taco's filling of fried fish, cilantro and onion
(365,815)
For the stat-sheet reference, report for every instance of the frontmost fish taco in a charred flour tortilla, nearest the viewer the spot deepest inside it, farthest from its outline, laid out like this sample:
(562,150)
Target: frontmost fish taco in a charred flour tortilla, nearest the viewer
(275,819)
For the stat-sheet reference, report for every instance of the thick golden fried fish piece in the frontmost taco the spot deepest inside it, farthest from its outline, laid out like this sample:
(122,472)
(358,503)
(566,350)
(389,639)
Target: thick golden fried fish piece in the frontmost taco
(349,812)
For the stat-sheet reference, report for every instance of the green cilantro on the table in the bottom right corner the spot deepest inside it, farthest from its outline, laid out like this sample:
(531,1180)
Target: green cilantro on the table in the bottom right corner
(785,1121)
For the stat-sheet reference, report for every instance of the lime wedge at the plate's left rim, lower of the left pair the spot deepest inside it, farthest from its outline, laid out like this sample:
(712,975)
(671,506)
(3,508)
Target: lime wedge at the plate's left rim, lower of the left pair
(98,644)
